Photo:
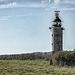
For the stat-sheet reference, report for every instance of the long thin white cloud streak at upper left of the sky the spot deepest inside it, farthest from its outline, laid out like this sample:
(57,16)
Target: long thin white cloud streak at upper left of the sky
(15,4)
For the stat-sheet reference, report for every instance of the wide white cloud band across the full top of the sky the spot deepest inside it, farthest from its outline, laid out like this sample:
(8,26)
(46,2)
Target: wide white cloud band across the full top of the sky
(65,4)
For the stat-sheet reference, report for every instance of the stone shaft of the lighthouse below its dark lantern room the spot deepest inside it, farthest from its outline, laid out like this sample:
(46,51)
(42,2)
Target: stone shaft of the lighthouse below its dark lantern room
(57,39)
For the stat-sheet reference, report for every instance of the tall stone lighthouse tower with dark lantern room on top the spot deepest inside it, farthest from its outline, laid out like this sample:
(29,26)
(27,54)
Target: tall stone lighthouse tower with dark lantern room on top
(57,33)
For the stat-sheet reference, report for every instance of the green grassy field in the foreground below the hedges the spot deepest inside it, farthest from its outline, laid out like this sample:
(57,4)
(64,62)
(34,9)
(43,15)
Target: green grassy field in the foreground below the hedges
(32,67)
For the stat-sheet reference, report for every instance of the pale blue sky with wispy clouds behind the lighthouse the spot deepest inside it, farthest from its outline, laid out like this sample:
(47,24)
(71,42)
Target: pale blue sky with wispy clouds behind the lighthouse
(24,25)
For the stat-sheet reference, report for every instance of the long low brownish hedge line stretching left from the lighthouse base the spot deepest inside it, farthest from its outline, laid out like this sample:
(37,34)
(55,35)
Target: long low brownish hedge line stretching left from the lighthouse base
(30,56)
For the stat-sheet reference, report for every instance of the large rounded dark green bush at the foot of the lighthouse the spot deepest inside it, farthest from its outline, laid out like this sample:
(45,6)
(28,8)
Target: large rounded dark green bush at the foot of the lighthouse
(65,58)
